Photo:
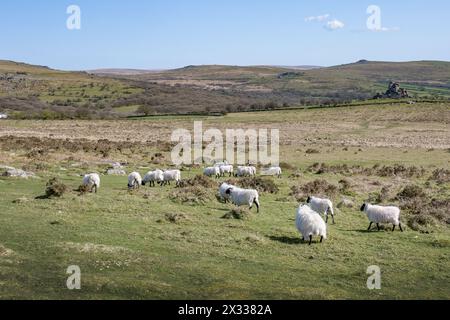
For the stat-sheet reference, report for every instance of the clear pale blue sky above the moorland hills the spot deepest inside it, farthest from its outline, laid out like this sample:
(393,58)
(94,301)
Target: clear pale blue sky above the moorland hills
(152,34)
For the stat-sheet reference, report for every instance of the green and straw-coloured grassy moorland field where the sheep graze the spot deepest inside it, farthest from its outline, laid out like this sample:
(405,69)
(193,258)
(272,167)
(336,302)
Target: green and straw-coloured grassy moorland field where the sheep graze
(148,244)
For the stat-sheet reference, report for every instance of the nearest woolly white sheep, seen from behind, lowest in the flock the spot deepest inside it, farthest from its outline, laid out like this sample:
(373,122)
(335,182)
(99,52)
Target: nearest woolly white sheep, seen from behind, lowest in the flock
(309,223)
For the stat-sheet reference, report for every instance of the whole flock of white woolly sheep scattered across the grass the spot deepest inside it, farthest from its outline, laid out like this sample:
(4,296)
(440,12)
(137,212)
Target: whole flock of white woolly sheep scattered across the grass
(309,219)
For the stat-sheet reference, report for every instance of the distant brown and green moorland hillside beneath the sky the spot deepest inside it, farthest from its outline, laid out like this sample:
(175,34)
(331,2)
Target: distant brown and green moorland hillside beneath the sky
(36,91)
